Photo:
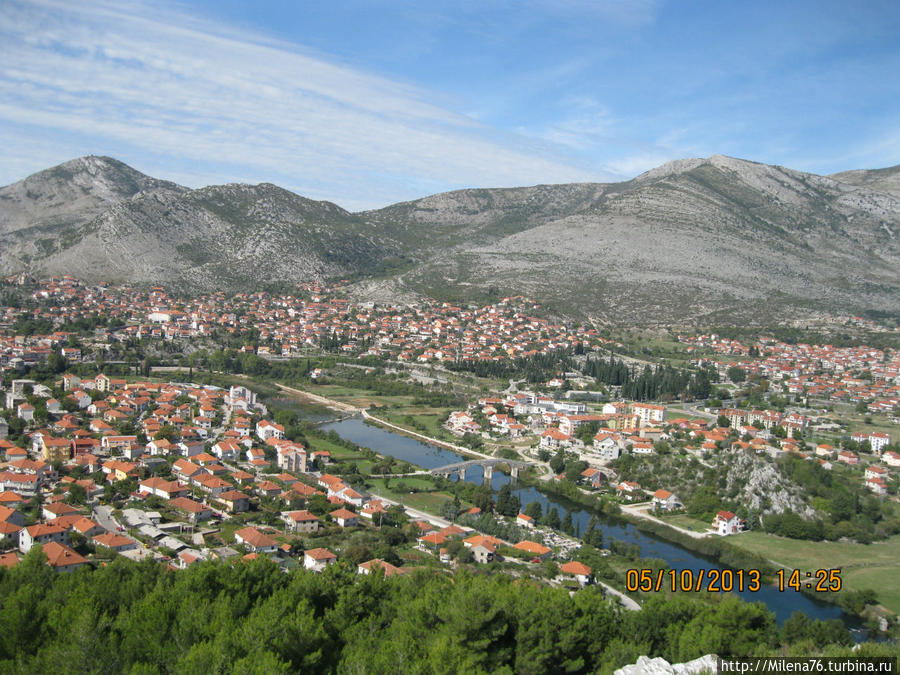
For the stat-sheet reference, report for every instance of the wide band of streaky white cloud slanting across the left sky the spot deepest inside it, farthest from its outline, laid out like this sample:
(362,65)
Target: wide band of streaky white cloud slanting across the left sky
(163,84)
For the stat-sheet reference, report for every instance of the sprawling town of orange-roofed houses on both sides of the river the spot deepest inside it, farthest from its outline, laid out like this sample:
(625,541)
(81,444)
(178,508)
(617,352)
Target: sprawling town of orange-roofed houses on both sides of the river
(99,465)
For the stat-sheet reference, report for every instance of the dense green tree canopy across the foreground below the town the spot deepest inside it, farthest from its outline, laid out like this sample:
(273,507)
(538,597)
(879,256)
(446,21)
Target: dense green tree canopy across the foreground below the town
(251,617)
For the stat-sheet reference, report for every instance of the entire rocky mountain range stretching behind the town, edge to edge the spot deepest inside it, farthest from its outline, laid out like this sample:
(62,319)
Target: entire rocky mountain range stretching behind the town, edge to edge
(692,238)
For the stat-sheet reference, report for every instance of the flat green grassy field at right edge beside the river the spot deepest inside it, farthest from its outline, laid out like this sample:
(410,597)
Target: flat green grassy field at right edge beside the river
(875,566)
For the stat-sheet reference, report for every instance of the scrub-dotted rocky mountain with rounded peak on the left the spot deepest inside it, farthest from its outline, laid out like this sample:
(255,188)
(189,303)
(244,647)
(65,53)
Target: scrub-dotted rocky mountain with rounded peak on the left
(99,219)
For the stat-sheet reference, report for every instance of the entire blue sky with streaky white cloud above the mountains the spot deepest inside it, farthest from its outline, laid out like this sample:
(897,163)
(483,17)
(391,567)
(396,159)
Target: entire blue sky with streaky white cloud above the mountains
(369,103)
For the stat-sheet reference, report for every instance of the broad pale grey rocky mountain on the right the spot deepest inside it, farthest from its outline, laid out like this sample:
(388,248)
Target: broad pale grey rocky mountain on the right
(688,239)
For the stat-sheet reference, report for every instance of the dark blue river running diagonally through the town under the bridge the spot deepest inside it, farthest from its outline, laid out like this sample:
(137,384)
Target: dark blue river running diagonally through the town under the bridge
(678,558)
